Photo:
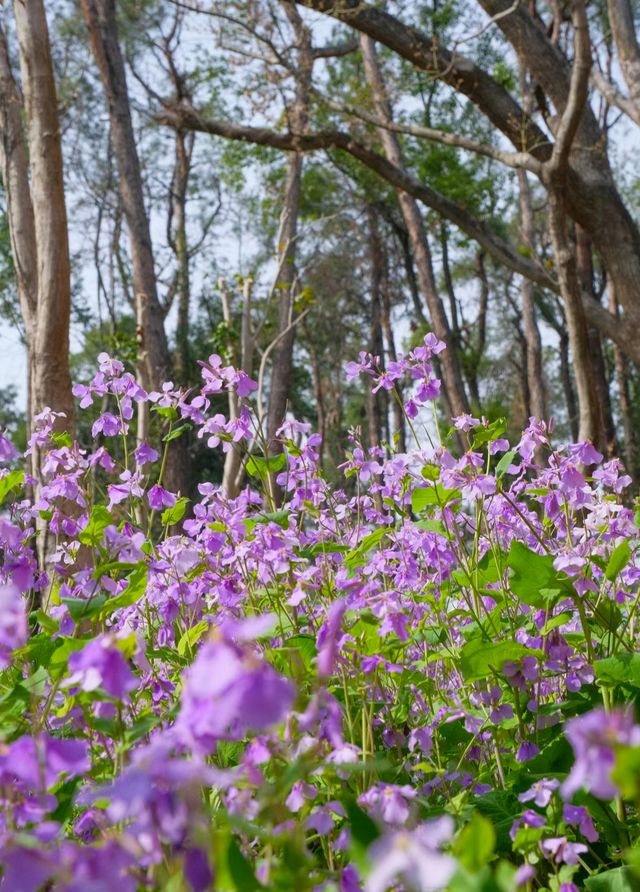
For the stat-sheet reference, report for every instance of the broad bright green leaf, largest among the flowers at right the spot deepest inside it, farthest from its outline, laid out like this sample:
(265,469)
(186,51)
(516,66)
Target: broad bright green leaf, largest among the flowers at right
(534,579)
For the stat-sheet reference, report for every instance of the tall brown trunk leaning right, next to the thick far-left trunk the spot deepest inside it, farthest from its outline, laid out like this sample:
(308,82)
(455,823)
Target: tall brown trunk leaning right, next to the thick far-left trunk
(154,361)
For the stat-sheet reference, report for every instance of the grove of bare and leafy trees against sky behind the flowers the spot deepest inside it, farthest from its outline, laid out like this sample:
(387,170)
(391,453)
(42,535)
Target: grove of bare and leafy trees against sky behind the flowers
(290,182)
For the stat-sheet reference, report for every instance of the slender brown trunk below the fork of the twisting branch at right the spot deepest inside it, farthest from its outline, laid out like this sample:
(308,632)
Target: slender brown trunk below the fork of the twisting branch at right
(590,423)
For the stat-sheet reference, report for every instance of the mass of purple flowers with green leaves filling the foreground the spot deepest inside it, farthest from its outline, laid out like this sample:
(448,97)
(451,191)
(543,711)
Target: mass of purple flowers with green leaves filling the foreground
(425,680)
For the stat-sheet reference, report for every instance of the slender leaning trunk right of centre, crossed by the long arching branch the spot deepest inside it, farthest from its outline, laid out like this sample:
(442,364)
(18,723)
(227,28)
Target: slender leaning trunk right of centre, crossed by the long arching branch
(417,235)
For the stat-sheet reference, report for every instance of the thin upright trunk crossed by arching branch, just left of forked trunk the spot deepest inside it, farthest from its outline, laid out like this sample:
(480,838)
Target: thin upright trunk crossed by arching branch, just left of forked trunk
(535,376)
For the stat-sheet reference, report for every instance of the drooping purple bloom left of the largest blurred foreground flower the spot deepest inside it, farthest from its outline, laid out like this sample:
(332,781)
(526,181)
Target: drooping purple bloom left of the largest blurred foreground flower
(100,664)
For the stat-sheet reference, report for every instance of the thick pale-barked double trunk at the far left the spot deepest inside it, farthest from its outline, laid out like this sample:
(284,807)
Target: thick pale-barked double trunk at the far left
(37,213)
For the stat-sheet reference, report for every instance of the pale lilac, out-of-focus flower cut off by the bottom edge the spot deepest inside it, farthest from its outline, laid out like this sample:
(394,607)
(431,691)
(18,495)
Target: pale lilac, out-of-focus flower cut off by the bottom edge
(412,856)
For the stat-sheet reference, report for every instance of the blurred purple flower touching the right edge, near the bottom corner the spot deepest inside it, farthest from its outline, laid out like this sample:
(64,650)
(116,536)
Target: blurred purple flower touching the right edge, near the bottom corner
(593,737)
